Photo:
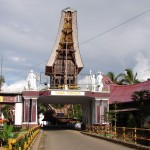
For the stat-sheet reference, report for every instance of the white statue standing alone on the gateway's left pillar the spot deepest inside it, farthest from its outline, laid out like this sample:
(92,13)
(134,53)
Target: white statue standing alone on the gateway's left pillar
(31,81)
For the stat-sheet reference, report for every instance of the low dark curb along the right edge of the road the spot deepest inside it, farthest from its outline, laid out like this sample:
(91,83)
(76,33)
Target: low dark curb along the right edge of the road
(128,144)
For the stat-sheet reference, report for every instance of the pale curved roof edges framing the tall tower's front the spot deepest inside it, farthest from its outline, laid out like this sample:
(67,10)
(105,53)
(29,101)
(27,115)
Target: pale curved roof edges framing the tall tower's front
(74,31)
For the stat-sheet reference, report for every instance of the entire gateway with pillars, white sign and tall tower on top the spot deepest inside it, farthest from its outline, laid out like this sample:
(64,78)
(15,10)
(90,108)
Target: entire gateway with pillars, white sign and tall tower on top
(63,68)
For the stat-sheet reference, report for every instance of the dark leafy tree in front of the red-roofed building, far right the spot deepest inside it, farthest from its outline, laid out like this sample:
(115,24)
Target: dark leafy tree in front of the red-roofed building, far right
(141,100)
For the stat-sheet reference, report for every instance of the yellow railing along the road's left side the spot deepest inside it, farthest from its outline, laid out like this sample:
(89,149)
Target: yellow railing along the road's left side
(24,139)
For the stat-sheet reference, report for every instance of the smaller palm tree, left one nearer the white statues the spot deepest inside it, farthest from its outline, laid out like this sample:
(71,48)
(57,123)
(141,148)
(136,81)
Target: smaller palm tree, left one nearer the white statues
(115,79)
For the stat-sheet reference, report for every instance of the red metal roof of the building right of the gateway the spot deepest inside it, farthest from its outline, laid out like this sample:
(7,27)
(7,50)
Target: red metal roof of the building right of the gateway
(122,93)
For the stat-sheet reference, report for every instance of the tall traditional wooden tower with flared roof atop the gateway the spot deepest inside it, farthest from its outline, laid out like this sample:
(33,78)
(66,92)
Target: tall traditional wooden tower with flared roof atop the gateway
(65,61)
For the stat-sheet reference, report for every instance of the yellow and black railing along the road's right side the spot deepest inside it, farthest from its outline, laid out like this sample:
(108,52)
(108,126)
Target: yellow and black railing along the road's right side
(133,135)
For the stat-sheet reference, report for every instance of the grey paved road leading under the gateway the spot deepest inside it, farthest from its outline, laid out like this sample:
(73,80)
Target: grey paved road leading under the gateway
(74,140)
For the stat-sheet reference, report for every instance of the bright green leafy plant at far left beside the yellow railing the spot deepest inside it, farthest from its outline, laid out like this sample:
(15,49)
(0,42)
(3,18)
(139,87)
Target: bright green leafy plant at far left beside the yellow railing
(6,133)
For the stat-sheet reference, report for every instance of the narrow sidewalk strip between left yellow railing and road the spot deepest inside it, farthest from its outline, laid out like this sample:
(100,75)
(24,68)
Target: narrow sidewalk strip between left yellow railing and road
(36,143)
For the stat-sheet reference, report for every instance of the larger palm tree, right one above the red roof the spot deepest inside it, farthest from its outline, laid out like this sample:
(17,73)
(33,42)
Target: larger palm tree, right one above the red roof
(129,77)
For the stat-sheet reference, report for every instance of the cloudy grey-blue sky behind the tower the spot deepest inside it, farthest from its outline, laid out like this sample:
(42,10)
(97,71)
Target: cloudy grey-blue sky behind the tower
(113,35)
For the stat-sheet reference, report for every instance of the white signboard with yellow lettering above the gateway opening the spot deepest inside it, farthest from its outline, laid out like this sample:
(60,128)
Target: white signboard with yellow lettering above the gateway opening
(69,93)
